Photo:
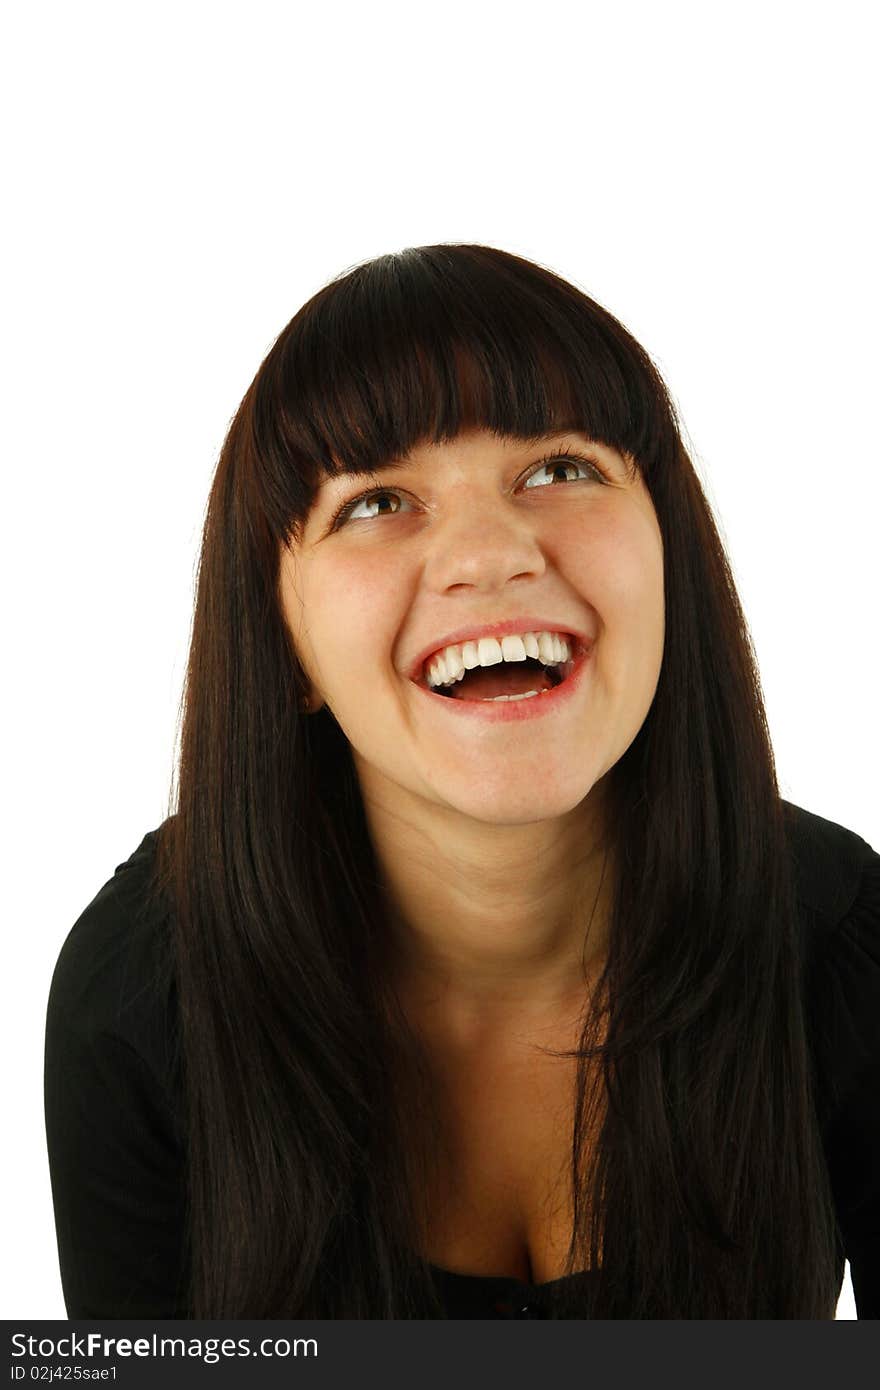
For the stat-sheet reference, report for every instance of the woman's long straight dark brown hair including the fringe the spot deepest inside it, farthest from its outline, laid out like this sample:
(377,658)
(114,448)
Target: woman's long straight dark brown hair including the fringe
(704,1191)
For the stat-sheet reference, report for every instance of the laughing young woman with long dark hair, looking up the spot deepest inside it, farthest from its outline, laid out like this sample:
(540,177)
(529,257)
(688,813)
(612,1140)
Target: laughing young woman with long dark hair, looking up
(490,983)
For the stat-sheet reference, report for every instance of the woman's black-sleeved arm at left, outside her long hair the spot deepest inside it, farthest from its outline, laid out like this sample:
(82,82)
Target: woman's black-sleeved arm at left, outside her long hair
(115,1156)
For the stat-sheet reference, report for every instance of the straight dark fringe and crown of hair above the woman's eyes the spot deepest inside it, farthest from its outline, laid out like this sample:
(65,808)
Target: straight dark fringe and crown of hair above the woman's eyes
(426,344)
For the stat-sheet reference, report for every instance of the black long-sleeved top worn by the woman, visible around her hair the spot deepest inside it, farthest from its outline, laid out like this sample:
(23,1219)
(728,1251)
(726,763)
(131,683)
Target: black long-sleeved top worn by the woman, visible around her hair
(113,1111)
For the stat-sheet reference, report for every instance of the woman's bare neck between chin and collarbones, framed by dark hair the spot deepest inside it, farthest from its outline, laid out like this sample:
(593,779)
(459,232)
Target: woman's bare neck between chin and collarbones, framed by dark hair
(491,924)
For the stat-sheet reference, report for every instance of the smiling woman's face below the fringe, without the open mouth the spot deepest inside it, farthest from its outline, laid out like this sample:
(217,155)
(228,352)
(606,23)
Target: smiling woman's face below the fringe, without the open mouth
(471,534)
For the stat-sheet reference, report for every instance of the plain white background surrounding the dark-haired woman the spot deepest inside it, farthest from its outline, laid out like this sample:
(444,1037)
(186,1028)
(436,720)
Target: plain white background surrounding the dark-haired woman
(180,179)
